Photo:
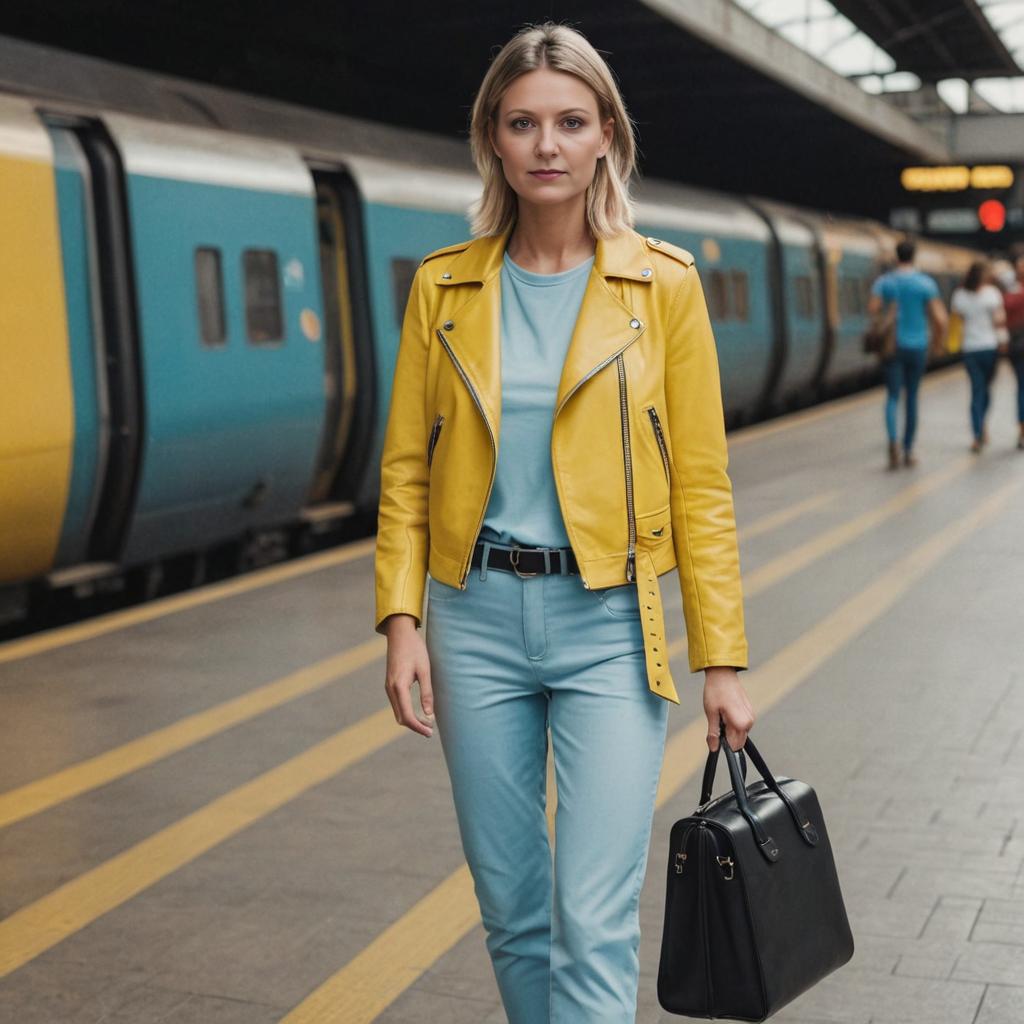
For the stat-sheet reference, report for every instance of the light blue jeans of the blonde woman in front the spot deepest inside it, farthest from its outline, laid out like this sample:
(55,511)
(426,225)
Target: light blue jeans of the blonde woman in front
(509,658)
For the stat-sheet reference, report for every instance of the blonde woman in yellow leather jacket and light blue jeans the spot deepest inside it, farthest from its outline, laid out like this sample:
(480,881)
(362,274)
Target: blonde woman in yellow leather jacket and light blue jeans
(554,445)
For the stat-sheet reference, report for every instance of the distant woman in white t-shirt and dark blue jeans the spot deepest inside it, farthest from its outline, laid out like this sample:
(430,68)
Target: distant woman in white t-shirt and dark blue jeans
(979,303)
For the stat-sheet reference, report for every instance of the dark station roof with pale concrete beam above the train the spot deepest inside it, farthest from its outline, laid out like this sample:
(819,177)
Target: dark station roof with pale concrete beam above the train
(719,99)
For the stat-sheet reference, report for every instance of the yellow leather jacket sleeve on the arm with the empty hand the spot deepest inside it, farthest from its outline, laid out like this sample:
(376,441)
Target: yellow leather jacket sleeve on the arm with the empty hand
(403,541)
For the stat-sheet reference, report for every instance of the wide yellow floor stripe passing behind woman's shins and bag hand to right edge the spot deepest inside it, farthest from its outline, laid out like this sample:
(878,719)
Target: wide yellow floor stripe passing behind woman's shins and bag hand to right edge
(386,969)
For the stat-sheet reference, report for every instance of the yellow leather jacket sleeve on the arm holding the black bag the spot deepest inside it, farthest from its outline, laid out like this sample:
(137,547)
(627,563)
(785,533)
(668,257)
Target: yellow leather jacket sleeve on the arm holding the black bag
(704,527)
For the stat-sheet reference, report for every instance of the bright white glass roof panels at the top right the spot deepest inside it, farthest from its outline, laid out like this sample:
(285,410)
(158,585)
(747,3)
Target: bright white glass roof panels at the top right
(818,28)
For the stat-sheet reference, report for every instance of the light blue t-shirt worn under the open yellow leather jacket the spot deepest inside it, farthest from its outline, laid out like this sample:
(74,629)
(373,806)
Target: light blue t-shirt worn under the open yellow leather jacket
(539,314)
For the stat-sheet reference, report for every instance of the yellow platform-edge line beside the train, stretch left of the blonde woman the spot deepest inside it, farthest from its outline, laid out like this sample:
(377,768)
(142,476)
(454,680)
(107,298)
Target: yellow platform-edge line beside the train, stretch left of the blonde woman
(63,636)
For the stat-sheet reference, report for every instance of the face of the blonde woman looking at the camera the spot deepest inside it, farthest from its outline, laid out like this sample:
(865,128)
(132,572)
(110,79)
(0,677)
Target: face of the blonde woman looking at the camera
(548,121)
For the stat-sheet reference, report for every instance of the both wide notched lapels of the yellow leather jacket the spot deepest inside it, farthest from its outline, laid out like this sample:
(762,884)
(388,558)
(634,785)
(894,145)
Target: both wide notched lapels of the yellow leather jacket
(604,327)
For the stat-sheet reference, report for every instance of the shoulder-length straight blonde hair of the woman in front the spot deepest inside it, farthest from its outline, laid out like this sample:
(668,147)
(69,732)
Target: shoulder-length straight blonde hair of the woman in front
(609,204)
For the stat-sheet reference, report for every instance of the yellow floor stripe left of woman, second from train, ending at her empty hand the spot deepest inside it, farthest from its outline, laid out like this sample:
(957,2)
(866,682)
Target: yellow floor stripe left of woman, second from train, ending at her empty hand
(45,793)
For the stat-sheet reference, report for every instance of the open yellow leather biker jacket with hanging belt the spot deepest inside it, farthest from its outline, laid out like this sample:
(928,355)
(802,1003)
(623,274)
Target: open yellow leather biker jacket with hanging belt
(638,441)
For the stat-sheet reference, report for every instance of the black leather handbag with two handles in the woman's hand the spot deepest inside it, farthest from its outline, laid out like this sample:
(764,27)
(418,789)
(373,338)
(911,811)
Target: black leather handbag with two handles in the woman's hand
(754,915)
